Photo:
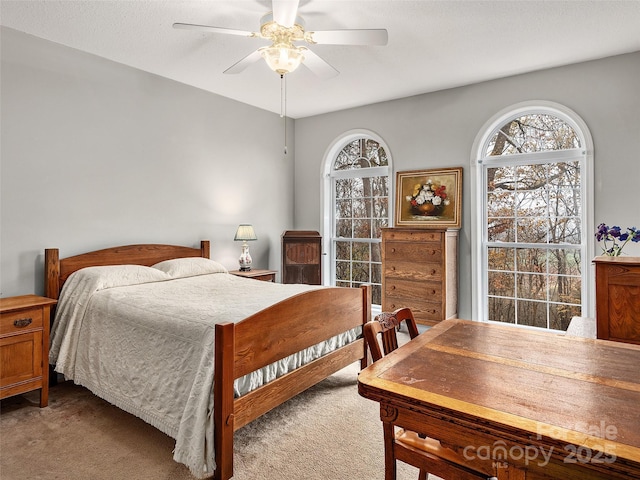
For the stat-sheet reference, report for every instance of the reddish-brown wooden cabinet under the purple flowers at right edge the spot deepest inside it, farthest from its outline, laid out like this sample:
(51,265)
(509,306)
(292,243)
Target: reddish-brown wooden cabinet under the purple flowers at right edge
(618,298)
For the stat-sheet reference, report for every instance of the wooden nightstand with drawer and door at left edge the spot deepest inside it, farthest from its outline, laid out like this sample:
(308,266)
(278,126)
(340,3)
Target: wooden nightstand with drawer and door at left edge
(24,345)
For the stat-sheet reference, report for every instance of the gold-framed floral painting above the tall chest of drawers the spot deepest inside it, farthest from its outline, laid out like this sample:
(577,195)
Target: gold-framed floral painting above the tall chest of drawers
(429,198)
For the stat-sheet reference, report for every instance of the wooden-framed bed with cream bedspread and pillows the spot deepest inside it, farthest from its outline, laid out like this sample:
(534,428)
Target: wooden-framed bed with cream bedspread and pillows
(298,341)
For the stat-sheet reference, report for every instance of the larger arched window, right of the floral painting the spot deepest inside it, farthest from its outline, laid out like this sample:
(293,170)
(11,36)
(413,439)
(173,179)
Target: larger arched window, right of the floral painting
(531,235)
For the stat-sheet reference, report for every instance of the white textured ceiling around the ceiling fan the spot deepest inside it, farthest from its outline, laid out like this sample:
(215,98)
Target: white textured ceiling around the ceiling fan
(433,44)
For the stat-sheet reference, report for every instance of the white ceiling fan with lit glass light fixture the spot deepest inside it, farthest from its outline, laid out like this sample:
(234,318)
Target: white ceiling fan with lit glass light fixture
(283,27)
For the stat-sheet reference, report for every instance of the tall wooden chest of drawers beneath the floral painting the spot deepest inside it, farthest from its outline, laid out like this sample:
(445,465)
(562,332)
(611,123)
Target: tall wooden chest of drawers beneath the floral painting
(419,271)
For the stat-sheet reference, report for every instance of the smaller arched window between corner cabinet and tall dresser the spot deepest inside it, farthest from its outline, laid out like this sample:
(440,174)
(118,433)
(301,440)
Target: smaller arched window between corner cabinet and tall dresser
(356,208)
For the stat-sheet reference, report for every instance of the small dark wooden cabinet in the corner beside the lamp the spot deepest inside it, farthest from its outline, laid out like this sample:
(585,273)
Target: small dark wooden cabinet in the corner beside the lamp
(301,257)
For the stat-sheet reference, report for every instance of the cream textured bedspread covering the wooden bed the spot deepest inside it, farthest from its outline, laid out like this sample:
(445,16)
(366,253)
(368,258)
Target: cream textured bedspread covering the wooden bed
(145,342)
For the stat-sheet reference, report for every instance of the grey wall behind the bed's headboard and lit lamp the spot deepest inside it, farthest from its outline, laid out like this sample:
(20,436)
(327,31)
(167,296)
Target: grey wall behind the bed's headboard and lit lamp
(97,154)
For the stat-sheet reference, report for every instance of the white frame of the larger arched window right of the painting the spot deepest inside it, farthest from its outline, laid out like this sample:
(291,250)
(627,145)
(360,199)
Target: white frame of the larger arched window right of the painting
(478,180)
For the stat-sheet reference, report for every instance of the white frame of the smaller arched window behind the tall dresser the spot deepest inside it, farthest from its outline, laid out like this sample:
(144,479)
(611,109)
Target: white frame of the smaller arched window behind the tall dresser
(328,194)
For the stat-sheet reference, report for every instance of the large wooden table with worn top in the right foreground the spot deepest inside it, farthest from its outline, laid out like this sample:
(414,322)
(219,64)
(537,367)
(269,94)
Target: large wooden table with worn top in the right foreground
(530,404)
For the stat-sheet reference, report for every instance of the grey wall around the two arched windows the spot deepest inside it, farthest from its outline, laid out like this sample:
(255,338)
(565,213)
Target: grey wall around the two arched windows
(438,129)
